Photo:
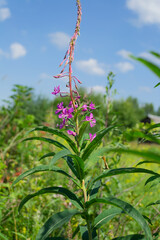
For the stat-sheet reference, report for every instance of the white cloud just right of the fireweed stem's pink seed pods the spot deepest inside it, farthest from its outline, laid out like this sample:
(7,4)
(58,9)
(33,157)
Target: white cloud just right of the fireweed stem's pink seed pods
(91,66)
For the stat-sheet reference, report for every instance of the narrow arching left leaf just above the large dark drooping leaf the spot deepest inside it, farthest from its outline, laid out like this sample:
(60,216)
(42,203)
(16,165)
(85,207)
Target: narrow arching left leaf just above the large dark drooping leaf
(42,168)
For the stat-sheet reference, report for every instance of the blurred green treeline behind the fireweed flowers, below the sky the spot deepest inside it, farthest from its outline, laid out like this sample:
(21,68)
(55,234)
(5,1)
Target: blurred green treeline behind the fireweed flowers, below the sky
(23,102)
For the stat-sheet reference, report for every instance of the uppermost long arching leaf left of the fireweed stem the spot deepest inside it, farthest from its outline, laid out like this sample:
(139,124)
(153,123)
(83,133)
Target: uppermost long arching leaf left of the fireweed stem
(59,134)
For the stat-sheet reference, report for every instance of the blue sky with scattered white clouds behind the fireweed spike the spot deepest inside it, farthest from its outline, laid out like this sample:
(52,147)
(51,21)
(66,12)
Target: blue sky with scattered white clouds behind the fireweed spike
(34,37)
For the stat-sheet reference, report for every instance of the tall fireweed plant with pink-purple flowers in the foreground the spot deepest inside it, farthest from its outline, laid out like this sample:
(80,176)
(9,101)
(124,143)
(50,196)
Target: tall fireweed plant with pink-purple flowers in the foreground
(77,151)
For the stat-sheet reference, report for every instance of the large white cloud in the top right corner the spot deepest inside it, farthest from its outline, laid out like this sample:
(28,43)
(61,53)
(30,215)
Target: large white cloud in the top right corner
(148,11)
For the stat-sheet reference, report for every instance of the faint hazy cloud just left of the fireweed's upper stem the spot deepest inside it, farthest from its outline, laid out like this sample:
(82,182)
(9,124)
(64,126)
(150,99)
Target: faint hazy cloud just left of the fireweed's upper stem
(60,39)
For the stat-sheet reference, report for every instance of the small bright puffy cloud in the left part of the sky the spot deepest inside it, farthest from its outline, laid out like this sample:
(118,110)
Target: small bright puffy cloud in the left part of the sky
(17,50)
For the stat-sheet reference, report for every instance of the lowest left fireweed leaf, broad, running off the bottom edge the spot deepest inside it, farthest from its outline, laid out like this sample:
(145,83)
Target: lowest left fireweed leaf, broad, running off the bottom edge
(54,222)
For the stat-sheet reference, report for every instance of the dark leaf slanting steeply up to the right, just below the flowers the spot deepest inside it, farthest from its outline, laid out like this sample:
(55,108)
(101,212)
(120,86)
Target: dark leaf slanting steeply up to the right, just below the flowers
(95,143)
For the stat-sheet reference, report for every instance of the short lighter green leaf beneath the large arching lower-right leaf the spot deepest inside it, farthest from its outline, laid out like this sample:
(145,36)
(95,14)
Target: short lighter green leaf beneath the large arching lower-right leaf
(106,216)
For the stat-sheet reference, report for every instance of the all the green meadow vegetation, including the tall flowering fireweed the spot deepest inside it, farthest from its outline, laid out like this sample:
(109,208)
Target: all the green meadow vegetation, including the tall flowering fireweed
(89,166)
